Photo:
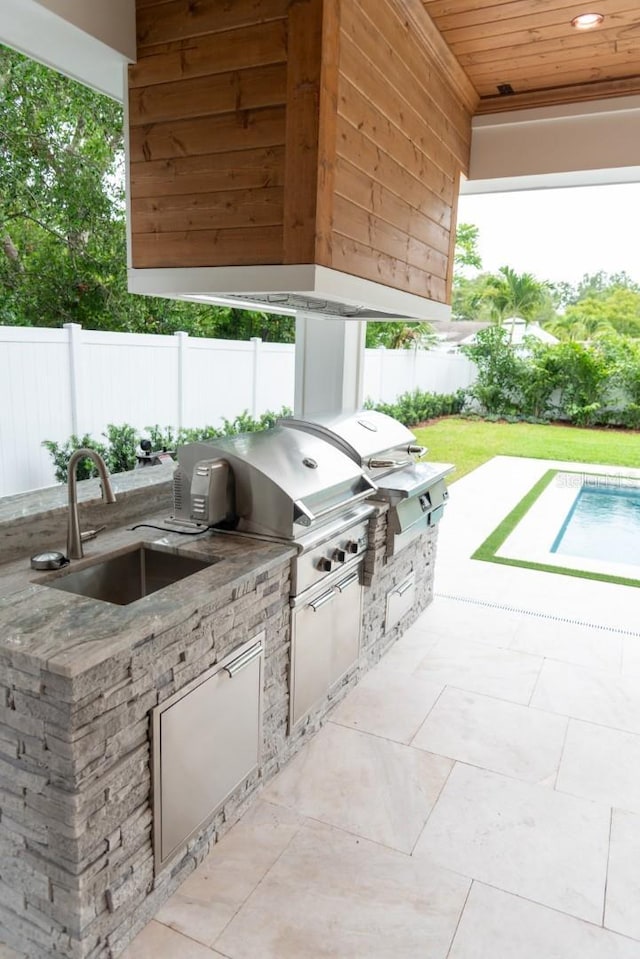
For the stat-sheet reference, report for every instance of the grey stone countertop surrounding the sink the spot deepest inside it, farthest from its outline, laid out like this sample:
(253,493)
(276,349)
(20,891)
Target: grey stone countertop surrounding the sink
(67,634)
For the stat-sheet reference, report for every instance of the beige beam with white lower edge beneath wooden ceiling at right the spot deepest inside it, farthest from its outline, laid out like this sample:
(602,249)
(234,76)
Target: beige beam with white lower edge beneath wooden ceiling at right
(580,144)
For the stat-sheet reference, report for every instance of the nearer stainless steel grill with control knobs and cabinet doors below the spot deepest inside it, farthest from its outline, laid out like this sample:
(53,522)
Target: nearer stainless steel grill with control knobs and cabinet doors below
(293,487)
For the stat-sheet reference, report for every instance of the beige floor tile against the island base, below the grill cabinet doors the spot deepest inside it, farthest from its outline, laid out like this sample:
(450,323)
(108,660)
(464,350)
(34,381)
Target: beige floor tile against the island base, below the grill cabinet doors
(369,786)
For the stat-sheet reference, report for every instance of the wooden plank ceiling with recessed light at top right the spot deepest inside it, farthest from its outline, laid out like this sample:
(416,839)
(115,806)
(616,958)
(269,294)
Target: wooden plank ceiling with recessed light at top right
(531,46)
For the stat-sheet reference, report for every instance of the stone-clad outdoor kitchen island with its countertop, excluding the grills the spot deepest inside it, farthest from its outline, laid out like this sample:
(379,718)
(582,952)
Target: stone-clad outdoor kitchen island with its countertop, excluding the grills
(83,685)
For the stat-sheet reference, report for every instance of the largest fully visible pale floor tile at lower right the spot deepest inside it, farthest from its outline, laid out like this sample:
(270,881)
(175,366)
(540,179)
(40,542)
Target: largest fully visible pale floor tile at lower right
(525,839)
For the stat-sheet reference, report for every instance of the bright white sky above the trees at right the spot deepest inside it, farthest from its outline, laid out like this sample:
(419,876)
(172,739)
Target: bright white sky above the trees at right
(558,234)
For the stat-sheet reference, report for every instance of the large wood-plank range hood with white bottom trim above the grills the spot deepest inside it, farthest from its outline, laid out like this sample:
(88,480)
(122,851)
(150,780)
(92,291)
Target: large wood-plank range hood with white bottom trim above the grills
(295,155)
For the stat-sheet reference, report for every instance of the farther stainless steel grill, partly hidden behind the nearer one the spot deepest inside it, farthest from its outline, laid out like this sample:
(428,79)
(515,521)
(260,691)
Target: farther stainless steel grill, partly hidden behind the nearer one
(386,451)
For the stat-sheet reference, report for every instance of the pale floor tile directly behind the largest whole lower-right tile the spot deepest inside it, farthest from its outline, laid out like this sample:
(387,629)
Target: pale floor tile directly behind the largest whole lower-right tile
(496,735)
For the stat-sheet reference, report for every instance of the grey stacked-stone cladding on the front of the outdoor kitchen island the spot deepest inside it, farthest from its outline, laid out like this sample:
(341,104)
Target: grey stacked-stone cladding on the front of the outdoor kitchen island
(76,857)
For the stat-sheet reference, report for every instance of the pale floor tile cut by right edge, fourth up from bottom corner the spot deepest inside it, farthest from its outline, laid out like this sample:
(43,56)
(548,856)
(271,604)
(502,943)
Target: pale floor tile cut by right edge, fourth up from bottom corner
(609,699)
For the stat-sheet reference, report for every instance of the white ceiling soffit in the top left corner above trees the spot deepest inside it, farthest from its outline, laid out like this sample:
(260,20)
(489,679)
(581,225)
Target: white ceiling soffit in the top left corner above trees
(89,41)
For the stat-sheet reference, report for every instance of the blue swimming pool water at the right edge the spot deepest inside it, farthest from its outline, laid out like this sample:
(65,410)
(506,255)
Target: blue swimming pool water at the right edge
(602,524)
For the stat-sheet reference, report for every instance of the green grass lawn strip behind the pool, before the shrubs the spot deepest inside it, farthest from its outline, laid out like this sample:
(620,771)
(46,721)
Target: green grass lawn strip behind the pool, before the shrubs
(469,443)
